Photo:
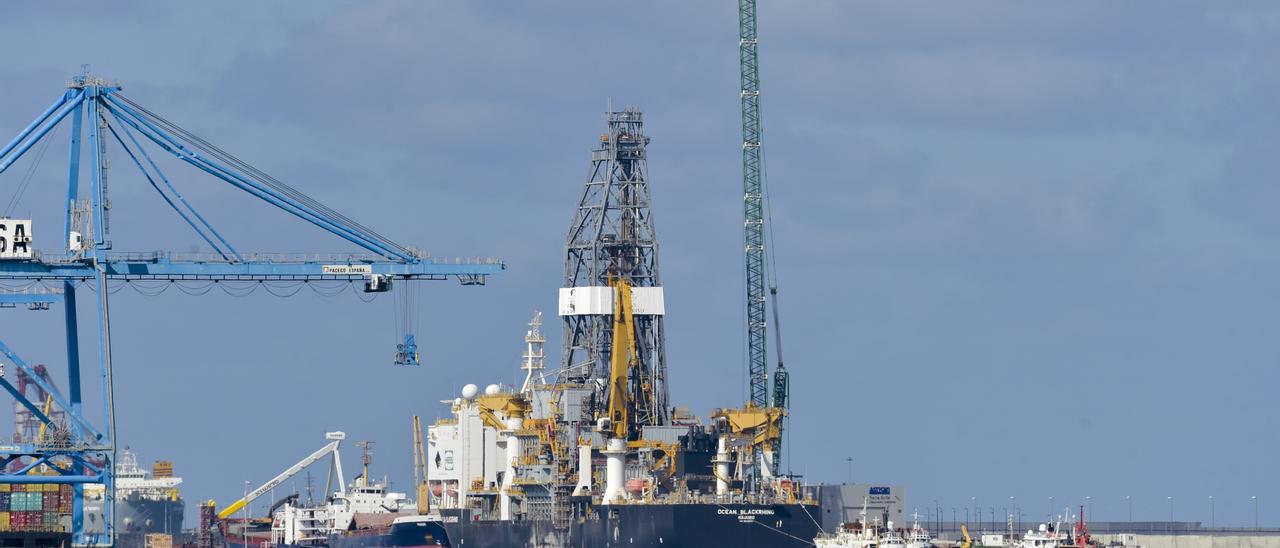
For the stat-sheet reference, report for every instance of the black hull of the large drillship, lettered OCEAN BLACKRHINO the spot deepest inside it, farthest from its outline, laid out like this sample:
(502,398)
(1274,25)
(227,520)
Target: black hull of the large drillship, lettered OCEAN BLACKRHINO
(646,526)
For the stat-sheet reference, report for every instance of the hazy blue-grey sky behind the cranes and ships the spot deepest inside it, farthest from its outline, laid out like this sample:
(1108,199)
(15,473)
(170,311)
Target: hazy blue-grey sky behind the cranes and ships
(1025,250)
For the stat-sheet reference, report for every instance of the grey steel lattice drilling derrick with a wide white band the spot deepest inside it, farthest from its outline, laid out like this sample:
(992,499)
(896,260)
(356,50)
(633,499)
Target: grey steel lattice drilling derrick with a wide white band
(612,235)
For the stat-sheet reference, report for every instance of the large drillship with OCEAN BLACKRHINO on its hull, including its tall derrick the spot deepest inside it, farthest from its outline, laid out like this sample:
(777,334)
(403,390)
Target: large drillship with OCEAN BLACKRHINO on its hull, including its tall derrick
(522,467)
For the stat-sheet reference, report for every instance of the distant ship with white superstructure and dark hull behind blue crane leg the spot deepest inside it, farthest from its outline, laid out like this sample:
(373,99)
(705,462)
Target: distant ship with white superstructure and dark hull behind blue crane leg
(147,501)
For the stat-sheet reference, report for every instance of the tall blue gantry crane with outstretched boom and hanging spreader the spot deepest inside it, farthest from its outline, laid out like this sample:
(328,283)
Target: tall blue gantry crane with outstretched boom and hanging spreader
(83,451)
